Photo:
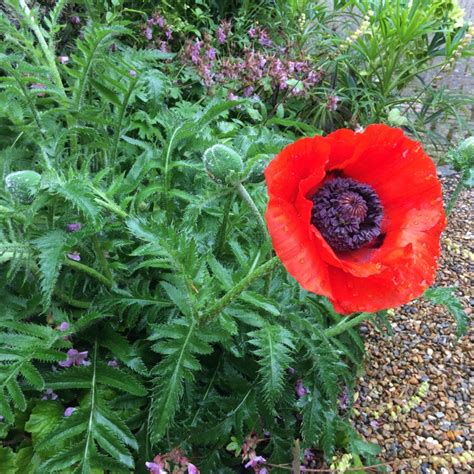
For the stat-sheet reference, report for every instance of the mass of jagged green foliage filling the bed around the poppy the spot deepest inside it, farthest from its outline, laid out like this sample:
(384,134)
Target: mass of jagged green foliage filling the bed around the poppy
(194,335)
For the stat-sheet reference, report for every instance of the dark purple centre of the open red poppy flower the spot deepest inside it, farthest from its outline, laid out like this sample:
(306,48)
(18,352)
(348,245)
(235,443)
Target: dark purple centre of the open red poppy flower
(347,213)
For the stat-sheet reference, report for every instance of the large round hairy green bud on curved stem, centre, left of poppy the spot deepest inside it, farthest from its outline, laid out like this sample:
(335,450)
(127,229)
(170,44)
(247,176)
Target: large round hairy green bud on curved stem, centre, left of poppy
(223,164)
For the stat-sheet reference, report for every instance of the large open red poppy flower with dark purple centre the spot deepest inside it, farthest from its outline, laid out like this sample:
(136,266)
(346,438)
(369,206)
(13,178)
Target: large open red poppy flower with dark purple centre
(357,217)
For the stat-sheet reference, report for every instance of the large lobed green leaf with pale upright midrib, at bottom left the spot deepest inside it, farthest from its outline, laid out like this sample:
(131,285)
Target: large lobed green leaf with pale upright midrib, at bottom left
(94,436)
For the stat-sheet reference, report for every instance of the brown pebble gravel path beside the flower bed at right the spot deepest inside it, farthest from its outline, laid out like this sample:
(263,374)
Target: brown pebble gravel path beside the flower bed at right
(415,398)
